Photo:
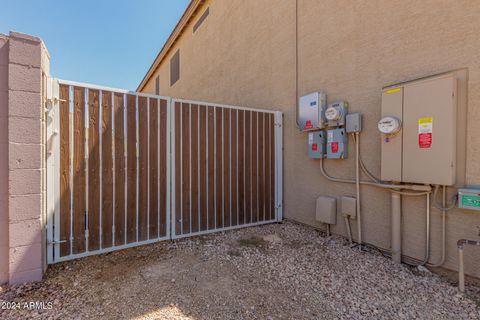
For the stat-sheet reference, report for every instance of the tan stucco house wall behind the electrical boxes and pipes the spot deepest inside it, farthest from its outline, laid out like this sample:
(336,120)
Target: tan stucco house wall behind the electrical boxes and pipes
(244,54)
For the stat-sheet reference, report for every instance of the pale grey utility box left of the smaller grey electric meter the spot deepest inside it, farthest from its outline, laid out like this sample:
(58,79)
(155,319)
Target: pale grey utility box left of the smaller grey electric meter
(311,108)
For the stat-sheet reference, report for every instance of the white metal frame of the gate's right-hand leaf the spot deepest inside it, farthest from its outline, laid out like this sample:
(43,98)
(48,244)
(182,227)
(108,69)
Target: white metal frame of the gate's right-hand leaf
(278,136)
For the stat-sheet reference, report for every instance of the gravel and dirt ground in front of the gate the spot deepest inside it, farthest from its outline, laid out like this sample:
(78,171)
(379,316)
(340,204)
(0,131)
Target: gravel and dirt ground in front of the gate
(280,271)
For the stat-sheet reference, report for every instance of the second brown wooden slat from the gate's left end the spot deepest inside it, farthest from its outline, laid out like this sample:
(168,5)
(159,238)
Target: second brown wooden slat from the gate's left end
(79,179)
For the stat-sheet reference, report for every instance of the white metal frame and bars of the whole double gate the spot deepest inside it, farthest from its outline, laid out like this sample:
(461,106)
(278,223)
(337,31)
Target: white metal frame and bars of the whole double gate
(53,168)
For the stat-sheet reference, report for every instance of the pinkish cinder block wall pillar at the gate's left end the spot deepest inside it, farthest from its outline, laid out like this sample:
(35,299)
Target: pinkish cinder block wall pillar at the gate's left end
(23,64)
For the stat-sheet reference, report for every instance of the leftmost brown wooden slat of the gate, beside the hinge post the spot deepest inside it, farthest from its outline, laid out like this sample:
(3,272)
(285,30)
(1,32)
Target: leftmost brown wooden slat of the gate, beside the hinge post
(64,171)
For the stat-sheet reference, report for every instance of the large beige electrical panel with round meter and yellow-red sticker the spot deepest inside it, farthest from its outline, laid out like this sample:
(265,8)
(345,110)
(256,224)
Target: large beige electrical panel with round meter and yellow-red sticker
(419,131)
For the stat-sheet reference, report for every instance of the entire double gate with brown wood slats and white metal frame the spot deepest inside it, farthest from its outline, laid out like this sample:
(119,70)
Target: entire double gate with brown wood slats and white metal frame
(127,168)
